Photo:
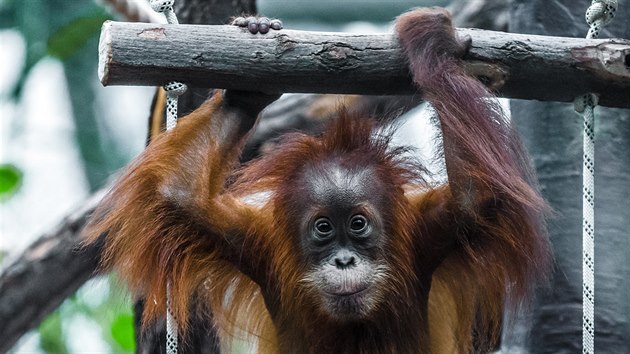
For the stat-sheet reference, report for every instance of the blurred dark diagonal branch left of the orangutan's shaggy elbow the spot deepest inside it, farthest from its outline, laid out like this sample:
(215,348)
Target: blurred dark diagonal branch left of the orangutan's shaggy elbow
(51,269)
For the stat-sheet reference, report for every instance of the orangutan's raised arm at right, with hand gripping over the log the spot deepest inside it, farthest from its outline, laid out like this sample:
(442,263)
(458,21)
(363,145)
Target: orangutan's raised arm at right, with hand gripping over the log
(502,247)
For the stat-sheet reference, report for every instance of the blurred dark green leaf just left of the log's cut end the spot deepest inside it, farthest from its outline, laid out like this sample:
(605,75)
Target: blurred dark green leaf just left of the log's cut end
(74,35)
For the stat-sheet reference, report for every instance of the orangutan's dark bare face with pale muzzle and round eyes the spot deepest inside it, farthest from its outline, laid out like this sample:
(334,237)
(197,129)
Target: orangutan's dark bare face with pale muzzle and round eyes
(343,238)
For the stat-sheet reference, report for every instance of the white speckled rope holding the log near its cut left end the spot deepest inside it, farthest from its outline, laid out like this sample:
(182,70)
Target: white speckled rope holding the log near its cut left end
(173,91)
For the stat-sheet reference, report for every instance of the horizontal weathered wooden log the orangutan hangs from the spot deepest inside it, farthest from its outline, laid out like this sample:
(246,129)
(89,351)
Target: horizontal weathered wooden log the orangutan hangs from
(515,65)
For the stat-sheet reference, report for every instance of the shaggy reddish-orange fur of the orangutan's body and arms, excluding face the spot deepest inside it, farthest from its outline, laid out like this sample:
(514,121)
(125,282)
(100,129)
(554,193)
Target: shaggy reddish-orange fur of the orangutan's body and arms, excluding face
(457,253)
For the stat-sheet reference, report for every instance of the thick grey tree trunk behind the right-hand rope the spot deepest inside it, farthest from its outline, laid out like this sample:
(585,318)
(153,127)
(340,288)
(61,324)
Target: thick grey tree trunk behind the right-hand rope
(554,139)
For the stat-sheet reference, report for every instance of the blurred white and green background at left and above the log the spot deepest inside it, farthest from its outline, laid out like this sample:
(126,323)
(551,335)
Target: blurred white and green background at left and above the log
(63,135)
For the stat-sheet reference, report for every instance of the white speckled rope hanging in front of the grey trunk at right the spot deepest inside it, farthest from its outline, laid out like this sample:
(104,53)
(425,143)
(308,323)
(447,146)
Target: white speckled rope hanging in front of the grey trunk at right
(599,14)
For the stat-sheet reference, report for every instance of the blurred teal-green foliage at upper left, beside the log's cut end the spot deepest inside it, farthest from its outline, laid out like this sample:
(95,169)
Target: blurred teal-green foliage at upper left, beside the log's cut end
(68,31)
